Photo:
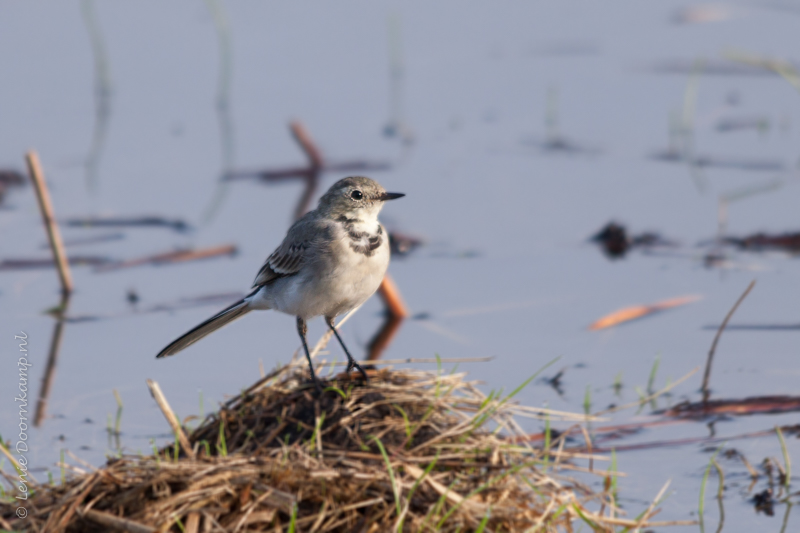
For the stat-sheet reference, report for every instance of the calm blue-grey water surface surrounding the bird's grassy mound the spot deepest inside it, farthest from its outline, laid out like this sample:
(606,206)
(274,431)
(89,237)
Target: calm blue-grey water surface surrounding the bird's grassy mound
(506,270)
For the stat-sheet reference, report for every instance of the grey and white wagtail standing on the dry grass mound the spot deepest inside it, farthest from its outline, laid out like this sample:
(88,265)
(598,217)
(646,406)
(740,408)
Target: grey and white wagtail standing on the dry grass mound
(330,262)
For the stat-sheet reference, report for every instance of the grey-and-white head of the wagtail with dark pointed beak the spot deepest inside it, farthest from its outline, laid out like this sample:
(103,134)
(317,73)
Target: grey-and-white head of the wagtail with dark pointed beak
(356,197)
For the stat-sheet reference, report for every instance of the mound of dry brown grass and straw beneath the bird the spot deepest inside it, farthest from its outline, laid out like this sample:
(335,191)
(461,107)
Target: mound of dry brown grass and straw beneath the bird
(411,451)
